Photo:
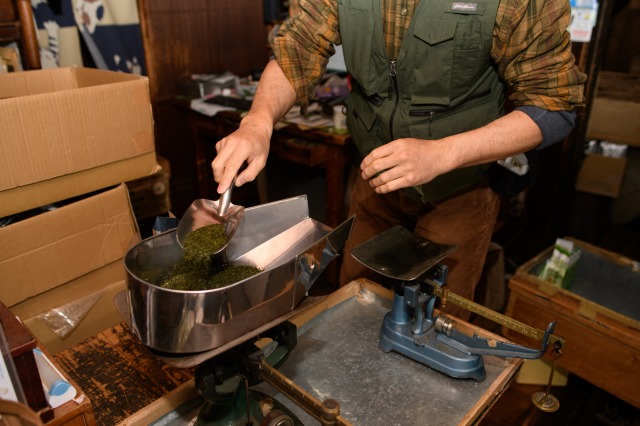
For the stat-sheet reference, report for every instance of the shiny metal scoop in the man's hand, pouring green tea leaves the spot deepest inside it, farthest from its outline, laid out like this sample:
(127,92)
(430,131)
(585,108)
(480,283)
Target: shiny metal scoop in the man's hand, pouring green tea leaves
(204,212)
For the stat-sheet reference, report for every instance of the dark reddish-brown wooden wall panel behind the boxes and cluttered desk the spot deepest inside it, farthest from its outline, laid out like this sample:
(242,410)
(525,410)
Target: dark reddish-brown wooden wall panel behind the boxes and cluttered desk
(185,37)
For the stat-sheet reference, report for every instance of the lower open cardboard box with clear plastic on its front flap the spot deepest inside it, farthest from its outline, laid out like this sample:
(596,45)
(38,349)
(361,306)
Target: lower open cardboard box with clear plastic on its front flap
(67,264)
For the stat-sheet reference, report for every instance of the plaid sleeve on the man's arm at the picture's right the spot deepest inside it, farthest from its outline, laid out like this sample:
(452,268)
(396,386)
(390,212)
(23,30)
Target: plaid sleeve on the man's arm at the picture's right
(532,48)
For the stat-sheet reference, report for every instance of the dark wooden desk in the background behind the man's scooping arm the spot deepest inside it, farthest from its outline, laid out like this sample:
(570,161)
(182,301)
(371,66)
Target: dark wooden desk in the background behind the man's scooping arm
(311,148)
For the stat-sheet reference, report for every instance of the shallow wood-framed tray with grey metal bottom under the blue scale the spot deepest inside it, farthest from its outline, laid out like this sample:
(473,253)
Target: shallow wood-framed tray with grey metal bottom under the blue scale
(337,356)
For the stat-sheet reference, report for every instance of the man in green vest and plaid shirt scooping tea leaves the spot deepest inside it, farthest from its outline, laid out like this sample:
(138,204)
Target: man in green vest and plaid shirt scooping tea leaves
(426,110)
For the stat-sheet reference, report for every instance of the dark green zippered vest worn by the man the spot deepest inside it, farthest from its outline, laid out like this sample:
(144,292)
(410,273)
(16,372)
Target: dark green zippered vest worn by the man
(445,82)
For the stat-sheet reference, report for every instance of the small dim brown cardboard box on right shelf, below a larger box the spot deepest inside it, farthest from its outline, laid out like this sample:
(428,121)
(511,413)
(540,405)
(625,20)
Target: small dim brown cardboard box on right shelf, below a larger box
(601,175)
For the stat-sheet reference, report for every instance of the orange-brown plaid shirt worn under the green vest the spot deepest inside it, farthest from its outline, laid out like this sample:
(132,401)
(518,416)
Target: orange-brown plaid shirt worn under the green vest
(530,46)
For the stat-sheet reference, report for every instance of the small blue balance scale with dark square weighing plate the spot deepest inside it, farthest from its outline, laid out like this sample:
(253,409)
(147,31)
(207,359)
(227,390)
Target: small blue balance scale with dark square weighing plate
(412,266)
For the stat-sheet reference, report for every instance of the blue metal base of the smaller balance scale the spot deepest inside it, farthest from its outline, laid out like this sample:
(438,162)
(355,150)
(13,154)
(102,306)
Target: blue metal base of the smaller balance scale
(428,350)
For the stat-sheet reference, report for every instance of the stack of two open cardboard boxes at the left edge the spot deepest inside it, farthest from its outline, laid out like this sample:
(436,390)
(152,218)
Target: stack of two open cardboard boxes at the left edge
(70,138)
